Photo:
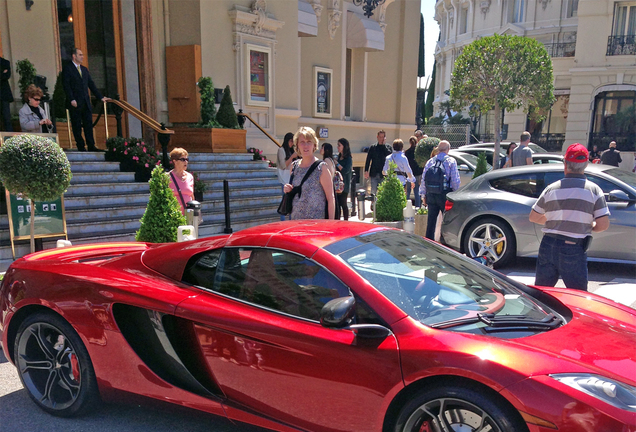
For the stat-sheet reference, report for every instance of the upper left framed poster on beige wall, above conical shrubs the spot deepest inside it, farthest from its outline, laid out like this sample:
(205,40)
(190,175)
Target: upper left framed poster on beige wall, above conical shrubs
(258,67)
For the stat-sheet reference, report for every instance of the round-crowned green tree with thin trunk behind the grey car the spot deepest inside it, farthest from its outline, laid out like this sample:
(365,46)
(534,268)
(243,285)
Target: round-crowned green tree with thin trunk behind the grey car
(503,72)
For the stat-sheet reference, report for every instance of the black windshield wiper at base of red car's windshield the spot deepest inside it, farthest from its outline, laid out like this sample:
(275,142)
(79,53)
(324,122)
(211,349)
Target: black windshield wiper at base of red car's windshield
(505,322)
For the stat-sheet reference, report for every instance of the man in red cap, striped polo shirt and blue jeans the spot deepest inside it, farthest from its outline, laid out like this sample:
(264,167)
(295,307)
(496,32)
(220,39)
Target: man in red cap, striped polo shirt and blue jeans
(571,209)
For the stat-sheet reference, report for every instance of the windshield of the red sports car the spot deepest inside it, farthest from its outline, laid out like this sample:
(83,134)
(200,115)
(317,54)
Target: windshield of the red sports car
(440,288)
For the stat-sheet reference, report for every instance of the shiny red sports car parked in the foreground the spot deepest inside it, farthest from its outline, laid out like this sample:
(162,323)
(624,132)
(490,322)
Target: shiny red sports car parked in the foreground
(318,326)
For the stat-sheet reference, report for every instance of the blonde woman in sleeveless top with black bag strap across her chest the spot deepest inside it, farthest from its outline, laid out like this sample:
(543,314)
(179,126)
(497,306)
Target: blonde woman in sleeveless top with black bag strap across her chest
(316,192)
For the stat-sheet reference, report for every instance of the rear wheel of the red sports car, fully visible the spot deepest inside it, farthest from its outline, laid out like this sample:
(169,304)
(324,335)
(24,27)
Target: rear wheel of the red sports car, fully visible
(54,366)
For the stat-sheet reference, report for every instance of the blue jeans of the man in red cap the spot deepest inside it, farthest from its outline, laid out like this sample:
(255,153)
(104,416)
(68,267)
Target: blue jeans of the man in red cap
(558,257)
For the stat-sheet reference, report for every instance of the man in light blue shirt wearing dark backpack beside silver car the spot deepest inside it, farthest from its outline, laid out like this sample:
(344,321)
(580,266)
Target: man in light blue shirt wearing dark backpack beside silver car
(440,176)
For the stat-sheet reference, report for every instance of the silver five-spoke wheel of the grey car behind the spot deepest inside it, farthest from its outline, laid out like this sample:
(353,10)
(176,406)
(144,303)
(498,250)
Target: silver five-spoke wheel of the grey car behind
(490,237)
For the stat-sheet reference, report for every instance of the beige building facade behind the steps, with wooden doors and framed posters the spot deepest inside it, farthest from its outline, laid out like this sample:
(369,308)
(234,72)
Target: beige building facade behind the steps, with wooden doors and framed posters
(289,63)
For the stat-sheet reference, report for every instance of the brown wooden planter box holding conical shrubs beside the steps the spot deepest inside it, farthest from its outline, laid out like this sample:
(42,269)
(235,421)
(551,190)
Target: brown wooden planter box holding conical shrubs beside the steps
(209,140)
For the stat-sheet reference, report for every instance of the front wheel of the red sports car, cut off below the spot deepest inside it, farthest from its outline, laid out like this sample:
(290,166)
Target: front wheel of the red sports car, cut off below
(455,409)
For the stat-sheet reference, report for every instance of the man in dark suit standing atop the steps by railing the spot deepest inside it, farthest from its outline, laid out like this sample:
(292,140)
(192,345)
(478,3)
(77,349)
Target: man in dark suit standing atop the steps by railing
(76,81)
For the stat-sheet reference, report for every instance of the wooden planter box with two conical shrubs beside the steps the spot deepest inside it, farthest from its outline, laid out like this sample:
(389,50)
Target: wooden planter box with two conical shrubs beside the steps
(216,132)
